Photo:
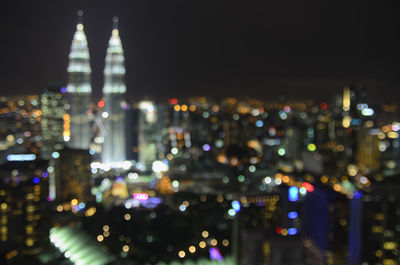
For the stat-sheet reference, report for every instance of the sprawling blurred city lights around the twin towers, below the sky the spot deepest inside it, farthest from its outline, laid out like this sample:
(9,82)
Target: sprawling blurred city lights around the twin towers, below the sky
(318,179)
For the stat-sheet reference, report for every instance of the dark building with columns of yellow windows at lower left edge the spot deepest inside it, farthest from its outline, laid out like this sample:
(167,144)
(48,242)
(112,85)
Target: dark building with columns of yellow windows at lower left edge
(23,193)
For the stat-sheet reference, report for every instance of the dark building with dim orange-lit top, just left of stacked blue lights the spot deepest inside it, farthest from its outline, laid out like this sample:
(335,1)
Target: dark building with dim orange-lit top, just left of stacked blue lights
(266,236)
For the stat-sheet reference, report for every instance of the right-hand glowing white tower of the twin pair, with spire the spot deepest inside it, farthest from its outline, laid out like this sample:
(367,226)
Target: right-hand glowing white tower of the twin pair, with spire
(114,91)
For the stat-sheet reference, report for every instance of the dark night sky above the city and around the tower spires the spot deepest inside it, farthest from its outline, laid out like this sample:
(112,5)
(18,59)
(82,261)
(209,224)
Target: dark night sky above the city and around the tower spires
(299,49)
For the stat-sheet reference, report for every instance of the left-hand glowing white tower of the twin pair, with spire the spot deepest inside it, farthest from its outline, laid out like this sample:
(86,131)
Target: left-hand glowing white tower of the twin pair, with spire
(79,90)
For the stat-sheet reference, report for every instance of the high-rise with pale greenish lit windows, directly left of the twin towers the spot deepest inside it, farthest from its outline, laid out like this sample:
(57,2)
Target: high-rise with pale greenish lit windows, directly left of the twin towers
(52,123)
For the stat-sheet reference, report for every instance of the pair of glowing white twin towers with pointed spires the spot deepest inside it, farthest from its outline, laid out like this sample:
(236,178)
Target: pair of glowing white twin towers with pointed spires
(79,91)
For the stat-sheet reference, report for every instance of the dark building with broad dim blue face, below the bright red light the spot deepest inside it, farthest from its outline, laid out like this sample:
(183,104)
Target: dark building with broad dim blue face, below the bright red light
(325,228)
